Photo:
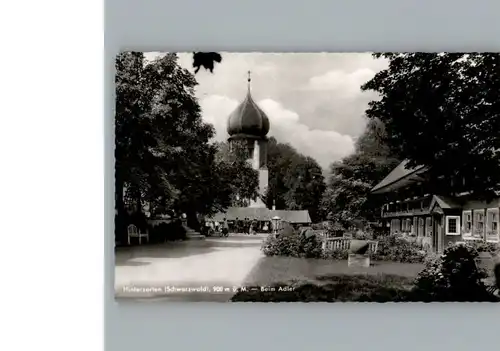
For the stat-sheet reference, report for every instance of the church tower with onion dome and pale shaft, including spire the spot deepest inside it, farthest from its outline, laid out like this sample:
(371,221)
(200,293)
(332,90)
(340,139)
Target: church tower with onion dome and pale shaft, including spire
(249,125)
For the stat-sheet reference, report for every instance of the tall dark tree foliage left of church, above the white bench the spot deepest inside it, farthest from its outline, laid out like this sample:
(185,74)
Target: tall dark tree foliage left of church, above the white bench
(163,154)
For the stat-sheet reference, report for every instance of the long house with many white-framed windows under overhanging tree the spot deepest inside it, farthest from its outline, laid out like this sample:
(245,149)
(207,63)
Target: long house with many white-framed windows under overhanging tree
(413,207)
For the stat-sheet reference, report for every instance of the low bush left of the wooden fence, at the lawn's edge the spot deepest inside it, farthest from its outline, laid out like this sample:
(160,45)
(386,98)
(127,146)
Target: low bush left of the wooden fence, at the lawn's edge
(293,245)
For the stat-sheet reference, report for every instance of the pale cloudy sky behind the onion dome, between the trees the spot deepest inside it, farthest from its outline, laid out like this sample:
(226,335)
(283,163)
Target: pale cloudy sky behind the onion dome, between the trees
(313,100)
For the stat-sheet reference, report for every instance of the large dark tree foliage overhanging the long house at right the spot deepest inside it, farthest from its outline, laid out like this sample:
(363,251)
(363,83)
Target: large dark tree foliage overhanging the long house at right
(443,111)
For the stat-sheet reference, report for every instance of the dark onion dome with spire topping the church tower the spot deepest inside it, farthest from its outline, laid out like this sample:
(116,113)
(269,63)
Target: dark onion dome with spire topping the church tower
(248,120)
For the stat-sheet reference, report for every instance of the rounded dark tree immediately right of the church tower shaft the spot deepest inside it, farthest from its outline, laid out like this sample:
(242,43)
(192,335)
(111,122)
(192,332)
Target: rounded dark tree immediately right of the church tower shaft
(296,181)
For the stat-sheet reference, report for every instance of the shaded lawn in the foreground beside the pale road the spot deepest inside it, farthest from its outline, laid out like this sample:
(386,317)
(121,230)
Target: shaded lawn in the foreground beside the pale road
(317,280)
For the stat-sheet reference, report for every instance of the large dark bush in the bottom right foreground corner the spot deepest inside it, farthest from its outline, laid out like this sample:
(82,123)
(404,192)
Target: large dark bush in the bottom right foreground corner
(453,276)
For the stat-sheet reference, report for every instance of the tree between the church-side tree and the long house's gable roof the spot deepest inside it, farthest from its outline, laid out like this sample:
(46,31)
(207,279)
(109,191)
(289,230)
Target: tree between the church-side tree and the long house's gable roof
(351,179)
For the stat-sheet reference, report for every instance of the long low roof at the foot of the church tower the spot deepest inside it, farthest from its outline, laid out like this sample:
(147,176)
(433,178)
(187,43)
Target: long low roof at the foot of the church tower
(263,214)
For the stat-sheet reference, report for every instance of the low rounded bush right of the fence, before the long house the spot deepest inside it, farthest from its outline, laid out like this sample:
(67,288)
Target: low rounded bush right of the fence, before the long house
(396,249)
